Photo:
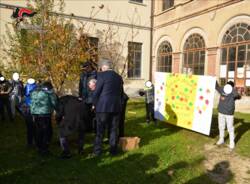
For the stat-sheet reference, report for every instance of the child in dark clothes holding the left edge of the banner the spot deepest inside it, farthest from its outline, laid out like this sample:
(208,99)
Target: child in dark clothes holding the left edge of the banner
(149,101)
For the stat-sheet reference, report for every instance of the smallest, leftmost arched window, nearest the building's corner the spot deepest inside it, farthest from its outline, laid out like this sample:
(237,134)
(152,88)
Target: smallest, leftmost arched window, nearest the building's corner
(164,63)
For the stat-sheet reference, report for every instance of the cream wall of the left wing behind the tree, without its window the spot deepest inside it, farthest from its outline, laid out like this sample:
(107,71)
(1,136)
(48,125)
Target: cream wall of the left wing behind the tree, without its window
(130,19)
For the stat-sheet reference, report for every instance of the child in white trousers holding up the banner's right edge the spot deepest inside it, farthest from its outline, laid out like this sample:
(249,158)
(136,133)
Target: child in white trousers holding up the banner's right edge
(226,110)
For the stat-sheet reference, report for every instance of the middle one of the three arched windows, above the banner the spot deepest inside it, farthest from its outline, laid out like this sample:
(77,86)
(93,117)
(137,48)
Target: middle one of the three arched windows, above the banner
(194,55)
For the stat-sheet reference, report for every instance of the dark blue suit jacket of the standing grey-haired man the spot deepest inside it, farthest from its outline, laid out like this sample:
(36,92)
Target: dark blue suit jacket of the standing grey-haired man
(108,94)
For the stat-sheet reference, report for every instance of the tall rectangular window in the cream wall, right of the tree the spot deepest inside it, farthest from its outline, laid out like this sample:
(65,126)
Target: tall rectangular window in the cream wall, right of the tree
(134,59)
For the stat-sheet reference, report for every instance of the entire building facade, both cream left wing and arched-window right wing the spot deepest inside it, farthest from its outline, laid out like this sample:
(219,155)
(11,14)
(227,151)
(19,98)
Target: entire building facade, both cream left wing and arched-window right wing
(203,37)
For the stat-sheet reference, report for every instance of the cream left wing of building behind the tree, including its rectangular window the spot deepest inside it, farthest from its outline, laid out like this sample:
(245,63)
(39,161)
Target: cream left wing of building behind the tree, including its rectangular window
(127,21)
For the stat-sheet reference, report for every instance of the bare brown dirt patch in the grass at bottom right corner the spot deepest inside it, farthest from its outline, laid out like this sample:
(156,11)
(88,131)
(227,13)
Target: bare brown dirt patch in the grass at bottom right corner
(224,165)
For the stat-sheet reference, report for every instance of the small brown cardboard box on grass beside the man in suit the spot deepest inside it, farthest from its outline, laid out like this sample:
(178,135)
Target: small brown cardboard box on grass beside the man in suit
(129,143)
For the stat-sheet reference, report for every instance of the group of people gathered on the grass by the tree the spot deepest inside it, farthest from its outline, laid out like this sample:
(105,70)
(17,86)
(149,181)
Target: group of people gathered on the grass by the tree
(100,105)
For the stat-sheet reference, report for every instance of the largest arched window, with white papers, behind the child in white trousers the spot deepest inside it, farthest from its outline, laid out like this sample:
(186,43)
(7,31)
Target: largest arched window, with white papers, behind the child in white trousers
(235,57)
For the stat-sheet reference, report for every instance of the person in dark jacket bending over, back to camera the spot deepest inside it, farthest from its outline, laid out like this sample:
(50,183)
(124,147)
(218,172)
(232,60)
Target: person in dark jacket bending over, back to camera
(71,117)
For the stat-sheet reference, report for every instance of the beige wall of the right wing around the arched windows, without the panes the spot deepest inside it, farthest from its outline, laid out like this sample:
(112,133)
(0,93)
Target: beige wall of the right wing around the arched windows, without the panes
(210,19)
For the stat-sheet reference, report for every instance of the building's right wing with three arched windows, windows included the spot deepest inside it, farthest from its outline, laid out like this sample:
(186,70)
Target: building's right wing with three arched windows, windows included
(204,38)
